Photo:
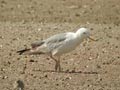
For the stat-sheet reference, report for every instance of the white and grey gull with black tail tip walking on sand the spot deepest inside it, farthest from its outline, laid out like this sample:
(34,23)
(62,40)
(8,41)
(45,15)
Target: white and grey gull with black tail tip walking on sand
(58,44)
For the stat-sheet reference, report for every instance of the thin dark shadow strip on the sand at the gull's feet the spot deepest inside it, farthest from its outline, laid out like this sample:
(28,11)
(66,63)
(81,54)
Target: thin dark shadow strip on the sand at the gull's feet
(72,72)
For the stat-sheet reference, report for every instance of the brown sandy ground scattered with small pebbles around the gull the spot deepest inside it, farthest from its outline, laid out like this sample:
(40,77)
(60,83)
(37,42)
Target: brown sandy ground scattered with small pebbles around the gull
(92,66)
